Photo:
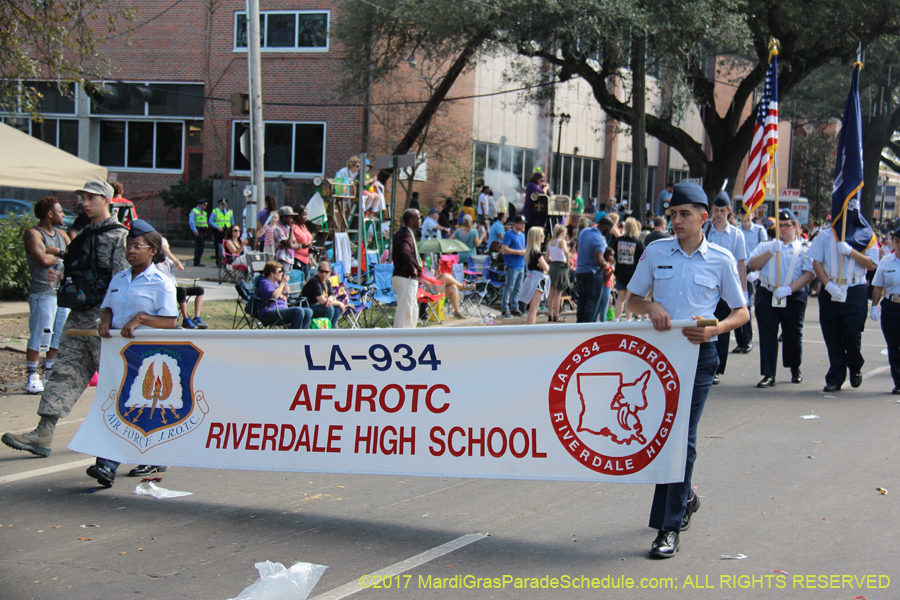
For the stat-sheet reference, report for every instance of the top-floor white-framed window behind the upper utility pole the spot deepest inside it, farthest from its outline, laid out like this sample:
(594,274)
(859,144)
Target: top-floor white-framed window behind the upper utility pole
(279,31)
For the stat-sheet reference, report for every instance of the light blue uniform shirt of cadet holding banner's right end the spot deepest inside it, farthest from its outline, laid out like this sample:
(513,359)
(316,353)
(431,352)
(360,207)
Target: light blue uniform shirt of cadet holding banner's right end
(687,286)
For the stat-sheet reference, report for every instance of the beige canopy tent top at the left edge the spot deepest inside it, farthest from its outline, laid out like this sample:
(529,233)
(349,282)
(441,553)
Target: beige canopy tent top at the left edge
(27,162)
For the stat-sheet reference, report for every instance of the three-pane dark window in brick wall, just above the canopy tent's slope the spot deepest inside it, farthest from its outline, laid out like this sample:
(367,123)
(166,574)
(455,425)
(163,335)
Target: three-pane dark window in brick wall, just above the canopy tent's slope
(143,145)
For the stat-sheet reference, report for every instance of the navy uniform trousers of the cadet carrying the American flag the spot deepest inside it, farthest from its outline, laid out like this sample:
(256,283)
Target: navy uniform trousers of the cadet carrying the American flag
(790,318)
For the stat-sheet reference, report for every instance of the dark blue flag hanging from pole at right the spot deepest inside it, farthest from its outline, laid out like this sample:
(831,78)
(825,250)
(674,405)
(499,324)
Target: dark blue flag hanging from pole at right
(848,175)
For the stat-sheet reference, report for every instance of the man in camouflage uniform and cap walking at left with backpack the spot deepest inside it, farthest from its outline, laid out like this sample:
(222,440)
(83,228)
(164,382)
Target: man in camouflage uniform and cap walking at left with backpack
(79,357)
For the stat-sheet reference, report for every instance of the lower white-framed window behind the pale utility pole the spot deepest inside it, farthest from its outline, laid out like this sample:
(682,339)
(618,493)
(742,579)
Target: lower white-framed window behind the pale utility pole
(296,149)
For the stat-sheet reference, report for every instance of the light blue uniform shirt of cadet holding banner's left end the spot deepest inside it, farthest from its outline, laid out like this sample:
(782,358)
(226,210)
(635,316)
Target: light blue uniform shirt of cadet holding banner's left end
(151,292)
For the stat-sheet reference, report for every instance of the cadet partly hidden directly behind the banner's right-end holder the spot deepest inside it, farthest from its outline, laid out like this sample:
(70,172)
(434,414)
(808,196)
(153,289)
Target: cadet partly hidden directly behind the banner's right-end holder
(722,233)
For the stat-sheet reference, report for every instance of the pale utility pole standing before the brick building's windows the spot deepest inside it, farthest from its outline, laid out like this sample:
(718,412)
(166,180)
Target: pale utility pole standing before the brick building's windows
(257,150)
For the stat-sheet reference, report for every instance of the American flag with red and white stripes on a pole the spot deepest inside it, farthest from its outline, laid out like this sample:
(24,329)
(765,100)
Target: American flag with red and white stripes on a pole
(765,140)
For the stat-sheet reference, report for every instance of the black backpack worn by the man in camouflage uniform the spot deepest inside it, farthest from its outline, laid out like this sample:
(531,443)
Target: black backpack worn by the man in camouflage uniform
(85,282)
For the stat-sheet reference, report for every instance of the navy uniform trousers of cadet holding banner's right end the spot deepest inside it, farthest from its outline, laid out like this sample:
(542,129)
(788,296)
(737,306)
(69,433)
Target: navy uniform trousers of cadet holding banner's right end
(670,499)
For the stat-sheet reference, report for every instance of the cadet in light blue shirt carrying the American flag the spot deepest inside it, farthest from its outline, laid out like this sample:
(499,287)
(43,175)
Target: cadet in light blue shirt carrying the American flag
(784,272)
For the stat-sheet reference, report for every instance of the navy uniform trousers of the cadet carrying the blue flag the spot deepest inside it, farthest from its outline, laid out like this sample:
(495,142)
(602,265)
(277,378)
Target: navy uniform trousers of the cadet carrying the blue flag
(842,326)
